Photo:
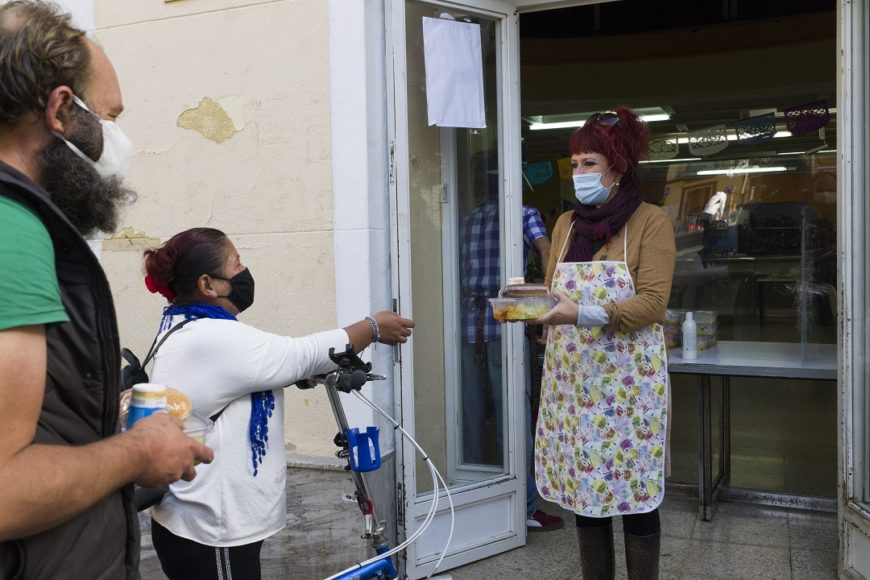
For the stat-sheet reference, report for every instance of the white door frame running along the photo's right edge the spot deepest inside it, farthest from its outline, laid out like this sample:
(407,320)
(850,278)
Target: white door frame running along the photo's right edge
(854,241)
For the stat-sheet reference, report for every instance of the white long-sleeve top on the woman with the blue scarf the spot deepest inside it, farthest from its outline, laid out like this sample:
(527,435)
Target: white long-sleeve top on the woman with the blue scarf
(218,363)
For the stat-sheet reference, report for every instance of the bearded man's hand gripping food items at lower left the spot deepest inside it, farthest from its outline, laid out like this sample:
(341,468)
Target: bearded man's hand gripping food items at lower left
(168,453)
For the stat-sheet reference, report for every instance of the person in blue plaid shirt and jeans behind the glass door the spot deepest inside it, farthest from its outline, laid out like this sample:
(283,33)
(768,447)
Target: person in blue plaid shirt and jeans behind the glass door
(480,280)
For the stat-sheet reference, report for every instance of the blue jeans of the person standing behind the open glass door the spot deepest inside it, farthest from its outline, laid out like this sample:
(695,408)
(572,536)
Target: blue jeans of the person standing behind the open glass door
(477,383)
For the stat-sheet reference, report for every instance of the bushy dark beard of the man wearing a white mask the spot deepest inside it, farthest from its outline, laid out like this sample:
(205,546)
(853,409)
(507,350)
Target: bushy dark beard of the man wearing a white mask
(89,200)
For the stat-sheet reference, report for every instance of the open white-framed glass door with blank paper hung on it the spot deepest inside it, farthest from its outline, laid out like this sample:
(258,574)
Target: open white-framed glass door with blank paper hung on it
(456,242)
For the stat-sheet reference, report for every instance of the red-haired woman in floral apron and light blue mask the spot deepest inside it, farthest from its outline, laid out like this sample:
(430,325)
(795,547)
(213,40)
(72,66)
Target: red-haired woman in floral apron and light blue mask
(601,443)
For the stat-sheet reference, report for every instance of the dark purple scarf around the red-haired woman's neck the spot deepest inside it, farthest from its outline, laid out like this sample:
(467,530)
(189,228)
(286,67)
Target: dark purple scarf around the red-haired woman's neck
(600,223)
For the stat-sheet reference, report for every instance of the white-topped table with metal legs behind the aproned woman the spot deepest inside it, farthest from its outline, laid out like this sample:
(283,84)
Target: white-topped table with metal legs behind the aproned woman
(744,359)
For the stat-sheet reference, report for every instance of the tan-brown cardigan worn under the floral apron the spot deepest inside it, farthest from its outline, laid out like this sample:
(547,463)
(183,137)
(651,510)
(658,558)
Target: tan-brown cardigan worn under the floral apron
(651,257)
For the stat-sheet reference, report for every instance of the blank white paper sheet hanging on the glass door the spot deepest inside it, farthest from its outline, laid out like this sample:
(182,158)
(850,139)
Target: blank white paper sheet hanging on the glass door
(454,73)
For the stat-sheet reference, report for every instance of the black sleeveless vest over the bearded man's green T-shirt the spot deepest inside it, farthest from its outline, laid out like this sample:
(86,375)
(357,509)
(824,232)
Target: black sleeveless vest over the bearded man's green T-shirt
(80,407)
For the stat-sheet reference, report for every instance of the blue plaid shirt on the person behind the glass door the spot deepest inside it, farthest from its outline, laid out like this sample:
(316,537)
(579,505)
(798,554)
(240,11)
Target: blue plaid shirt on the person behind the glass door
(480,273)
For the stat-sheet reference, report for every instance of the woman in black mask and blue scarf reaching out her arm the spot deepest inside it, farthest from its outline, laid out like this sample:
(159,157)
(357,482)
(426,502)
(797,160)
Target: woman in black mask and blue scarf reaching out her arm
(234,373)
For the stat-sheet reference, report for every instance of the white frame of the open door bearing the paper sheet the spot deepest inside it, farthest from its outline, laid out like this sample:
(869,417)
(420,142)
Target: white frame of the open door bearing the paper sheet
(496,506)
